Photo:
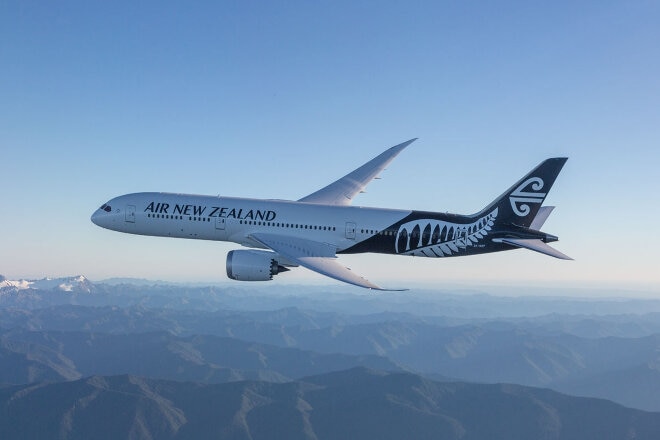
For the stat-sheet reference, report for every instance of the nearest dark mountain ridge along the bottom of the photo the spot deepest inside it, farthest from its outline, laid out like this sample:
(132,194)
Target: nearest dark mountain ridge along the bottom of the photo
(357,403)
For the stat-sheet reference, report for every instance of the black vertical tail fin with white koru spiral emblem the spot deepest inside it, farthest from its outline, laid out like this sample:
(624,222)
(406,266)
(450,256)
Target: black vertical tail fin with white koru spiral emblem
(520,203)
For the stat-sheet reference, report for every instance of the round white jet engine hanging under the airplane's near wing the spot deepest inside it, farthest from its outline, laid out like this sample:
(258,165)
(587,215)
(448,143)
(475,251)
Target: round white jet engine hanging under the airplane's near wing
(253,265)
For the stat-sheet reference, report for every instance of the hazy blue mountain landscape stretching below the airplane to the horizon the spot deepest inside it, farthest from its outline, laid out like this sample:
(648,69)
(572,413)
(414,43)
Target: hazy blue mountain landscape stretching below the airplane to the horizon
(292,351)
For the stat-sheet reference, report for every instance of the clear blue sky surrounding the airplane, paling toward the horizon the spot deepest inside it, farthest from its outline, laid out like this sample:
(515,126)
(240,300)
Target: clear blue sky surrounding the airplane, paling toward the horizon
(261,99)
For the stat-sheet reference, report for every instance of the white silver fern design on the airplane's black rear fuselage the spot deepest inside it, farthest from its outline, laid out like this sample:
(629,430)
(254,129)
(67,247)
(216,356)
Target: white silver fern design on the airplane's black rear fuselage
(437,238)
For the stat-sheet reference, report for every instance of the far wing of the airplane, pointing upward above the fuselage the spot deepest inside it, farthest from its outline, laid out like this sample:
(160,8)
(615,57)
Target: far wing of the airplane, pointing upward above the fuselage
(342,191)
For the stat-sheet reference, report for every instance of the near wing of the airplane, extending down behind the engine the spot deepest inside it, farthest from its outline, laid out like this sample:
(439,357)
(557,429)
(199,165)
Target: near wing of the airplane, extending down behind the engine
(316,256)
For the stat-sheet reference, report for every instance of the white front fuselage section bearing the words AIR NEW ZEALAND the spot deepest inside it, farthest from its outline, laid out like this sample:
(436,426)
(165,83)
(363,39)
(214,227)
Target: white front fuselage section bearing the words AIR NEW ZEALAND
(236,219)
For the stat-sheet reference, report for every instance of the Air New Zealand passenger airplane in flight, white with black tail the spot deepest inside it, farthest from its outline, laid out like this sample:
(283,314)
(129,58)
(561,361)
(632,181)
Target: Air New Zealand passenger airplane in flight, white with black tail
(313,230)
